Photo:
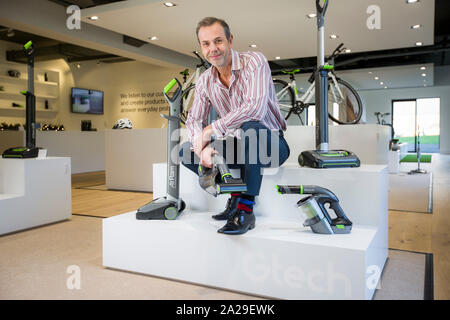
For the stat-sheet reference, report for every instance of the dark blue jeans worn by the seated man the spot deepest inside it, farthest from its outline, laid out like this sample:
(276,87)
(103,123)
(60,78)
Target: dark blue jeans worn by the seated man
(258,148)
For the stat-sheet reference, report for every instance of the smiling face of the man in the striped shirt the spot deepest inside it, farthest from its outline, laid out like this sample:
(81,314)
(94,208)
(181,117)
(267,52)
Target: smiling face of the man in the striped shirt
(215,46)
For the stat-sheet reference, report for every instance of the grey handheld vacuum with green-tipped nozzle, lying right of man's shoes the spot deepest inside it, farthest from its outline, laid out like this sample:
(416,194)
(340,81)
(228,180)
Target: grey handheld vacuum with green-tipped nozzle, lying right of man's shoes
(312,209)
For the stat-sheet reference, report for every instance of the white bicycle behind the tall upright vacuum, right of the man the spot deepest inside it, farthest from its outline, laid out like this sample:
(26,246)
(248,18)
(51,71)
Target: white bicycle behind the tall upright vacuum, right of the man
(344,103)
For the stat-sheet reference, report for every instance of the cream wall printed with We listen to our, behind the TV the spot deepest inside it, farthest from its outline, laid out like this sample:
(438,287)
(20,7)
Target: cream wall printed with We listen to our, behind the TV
(111,78)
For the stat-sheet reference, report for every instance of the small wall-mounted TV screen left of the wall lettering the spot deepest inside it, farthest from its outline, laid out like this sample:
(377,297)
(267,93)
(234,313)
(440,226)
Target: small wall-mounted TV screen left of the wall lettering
(87,101)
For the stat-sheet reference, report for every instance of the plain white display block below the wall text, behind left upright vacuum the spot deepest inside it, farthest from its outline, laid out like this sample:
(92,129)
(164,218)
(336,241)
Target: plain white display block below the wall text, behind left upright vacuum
(130,155)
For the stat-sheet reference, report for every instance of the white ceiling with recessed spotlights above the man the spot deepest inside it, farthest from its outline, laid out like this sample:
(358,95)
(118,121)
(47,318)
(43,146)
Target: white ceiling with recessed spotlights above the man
(278,28)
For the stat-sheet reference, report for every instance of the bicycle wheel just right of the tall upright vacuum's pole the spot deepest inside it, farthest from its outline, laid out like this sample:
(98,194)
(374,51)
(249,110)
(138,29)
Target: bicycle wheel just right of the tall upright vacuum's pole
(345,108)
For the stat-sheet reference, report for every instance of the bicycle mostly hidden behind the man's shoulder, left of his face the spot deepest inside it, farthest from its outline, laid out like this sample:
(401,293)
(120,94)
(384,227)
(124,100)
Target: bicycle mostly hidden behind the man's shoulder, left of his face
(189,86)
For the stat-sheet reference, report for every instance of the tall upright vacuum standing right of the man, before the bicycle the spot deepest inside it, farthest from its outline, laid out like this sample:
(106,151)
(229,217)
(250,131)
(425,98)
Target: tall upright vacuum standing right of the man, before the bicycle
(323,157)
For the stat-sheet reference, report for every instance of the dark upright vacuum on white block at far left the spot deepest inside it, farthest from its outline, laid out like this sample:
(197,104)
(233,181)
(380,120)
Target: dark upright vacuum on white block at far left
(30,150)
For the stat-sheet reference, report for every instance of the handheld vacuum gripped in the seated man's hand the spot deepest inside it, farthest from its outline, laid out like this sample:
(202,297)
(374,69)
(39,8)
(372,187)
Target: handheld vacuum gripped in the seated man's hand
(218,179)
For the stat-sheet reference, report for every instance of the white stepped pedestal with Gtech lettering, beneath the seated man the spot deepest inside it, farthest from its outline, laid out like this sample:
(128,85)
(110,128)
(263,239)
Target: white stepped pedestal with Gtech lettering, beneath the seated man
(279,258)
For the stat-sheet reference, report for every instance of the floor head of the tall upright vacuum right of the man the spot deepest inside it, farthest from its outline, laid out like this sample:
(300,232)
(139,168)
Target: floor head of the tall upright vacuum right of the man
(328,159)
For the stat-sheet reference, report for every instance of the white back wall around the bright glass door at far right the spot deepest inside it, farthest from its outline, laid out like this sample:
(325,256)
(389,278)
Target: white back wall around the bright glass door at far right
(381,100)
